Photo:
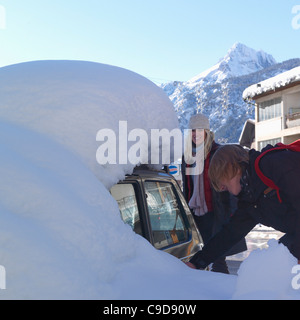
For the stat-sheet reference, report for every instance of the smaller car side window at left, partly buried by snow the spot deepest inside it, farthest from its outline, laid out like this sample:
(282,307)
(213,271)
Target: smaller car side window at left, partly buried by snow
(125,195)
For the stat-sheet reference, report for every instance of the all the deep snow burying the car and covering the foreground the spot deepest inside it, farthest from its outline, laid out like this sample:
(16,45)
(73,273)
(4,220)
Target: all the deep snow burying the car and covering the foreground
(61,235)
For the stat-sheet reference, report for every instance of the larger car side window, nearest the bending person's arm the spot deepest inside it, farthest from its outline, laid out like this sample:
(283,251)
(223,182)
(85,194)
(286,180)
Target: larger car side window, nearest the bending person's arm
(166,218)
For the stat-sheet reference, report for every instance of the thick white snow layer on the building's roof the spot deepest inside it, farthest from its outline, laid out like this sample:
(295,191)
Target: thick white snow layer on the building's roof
(278,82)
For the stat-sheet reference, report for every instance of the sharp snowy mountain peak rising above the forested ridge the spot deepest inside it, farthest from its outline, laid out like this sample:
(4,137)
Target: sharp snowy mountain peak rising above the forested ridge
(240,60)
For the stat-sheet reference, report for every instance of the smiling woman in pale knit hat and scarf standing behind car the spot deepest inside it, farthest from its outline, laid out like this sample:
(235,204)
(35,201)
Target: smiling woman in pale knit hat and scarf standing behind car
(211,210)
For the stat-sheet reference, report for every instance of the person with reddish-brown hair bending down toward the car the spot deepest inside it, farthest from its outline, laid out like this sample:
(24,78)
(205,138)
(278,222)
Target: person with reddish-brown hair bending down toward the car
(233,169)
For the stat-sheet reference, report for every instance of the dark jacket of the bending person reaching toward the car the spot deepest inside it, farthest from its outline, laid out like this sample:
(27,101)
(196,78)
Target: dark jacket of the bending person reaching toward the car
(254,206)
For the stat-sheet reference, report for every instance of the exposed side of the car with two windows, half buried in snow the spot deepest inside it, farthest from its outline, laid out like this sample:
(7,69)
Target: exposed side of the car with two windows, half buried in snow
(152,203)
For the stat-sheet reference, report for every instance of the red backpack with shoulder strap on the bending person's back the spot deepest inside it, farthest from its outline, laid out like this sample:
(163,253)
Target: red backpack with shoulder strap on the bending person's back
(295,146)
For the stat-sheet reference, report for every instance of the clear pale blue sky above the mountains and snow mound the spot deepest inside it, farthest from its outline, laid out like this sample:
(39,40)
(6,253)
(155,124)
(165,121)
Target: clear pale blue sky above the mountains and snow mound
(163,40)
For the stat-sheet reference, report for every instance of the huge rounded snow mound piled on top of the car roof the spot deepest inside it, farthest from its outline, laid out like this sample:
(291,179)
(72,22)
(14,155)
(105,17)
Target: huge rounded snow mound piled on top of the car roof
(70,101)
